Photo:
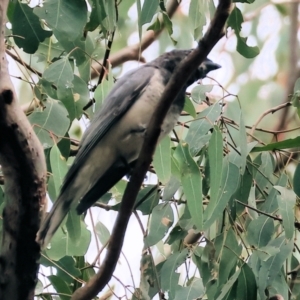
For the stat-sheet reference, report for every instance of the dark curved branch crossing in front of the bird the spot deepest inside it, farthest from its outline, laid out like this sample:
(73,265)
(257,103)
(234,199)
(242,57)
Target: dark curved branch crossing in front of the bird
(181,75)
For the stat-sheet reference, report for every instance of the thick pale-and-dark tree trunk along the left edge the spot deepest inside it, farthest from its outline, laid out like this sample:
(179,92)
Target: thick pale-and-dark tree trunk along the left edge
(23,166)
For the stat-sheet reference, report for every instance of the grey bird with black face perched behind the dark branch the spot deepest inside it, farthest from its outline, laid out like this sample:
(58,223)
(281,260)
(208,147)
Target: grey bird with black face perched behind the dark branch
(111,144)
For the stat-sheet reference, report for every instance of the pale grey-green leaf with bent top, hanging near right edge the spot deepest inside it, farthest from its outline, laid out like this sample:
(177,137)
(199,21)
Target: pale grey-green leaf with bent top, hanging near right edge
(286,203)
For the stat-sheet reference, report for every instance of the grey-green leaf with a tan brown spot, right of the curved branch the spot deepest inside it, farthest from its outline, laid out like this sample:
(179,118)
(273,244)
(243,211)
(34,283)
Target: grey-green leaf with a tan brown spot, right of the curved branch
(162,219)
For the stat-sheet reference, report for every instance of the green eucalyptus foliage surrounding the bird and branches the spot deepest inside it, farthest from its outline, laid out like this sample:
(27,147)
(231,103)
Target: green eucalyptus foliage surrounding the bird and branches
(221,220)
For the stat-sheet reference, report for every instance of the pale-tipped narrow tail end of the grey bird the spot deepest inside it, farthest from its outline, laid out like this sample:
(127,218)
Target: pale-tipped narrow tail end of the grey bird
(53,220)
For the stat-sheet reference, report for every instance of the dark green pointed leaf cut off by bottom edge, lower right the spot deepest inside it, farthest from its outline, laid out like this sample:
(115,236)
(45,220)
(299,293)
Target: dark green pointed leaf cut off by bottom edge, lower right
(246,287)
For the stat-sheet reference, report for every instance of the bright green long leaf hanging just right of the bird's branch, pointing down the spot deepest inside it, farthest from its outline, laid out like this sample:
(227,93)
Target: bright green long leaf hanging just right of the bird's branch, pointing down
(191,183)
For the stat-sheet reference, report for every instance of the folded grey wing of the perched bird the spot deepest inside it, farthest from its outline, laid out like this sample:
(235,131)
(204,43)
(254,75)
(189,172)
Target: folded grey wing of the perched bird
(124,93)
